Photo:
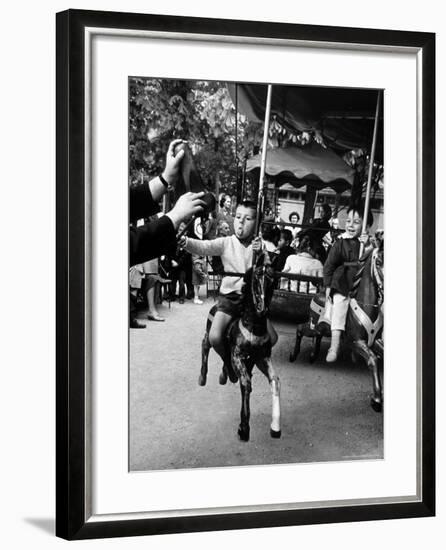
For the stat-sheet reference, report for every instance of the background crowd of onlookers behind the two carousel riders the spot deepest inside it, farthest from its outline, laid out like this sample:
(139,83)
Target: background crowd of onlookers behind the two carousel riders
(179,275)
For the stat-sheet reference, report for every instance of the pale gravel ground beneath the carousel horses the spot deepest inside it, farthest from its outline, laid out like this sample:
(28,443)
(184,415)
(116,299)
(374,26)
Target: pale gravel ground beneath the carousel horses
(174,423)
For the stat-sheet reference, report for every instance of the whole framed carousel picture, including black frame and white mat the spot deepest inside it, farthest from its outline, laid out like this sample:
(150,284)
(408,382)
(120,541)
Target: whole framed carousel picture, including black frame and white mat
(226,191)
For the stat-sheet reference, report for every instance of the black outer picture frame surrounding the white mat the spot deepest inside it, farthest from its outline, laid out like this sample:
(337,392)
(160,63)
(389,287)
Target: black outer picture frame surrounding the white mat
(72,478)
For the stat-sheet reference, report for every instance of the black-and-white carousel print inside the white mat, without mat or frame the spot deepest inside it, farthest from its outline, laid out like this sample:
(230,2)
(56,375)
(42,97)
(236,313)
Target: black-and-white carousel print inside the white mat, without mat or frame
(256,274)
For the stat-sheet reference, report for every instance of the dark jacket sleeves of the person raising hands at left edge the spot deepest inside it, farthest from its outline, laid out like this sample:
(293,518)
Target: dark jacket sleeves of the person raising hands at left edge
(154,238)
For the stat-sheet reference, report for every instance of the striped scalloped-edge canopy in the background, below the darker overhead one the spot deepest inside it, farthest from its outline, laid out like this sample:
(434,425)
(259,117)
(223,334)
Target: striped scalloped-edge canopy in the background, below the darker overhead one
(310,165)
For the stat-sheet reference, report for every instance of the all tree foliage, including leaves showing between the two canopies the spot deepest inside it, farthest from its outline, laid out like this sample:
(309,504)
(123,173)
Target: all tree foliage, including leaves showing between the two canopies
(203,113)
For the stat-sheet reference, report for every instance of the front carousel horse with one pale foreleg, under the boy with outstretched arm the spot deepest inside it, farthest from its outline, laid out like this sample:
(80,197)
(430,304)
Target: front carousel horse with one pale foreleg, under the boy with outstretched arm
(248,344)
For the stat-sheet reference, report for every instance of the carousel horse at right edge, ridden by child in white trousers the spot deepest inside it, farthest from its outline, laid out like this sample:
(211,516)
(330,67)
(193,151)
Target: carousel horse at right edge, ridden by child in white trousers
(365,320)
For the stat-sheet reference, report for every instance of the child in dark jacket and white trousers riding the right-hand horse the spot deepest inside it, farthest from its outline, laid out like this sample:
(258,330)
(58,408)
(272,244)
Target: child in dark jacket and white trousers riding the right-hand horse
(338,277)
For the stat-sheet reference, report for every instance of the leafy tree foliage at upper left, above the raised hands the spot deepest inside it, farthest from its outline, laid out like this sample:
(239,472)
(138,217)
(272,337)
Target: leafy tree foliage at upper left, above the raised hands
(198,111)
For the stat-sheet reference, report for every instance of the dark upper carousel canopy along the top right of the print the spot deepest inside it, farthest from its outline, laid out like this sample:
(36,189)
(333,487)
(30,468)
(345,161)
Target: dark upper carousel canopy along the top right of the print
(344,117)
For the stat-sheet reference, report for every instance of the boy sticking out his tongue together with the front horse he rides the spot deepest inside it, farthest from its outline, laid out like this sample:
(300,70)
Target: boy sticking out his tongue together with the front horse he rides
(238,326)
